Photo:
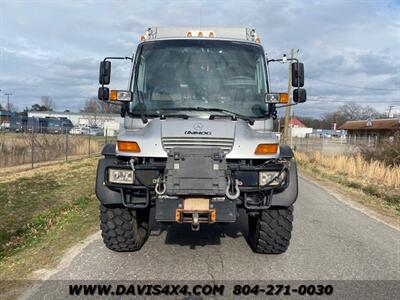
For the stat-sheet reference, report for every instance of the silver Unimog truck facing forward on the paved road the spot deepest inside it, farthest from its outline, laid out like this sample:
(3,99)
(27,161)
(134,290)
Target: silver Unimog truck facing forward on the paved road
(198,144)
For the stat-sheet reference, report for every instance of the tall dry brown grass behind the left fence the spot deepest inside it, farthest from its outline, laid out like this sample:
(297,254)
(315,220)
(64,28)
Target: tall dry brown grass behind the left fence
(16,148)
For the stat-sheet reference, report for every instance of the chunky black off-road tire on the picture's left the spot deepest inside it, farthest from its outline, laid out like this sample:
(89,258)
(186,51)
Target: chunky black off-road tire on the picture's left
(124,229)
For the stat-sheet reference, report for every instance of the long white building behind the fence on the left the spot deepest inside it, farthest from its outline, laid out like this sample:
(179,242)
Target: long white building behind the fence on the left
(83,119)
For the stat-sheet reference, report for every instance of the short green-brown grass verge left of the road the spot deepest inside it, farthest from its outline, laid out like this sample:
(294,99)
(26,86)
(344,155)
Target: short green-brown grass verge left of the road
(43,212)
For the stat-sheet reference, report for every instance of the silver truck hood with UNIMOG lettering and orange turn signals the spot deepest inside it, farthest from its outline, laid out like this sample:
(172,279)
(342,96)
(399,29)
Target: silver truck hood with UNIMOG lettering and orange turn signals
(236,138)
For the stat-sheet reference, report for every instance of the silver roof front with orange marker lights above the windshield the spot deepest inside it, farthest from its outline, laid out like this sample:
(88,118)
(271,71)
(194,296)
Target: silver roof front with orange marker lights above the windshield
(230,33)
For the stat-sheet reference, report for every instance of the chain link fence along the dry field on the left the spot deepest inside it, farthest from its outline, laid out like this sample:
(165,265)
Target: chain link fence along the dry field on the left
(32,146)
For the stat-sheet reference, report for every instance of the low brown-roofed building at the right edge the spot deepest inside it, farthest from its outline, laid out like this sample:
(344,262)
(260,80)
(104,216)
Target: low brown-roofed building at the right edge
(376,129)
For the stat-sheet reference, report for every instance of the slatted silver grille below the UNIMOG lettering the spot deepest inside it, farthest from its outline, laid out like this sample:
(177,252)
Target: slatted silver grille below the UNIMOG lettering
(225,144)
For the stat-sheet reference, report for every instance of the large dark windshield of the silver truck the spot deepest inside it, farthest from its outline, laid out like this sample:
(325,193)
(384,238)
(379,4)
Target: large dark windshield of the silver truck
(175,75)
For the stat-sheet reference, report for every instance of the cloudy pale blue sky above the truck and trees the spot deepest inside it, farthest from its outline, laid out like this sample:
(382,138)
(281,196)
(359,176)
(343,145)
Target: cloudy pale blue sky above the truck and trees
(350,49)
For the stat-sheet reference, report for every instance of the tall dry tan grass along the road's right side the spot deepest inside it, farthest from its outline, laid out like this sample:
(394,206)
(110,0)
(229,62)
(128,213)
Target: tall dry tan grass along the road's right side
(373,178)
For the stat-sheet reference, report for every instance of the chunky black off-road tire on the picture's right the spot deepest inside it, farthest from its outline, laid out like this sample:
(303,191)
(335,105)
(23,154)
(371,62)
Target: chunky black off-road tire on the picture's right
(270,231)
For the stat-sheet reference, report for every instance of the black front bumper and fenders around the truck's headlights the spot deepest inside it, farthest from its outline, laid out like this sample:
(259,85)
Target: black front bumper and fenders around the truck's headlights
(142,192)
